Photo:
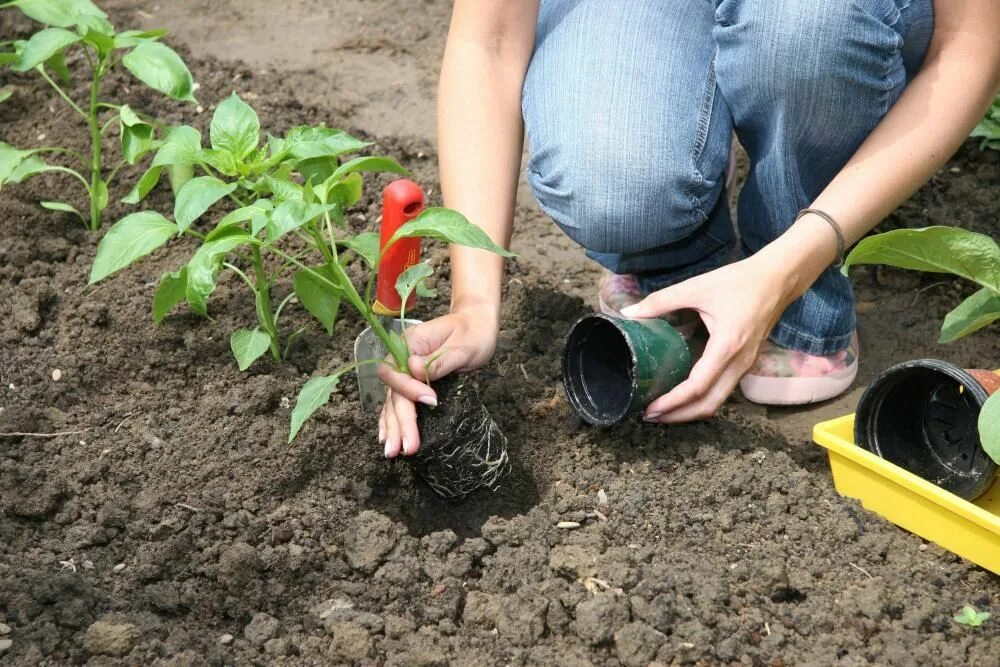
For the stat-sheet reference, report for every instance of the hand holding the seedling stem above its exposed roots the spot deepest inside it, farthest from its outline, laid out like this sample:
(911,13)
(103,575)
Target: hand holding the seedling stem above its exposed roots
(461,341)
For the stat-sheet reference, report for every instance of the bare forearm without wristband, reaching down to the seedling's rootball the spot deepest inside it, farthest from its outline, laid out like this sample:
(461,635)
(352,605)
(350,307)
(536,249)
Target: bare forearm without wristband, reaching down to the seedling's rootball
(480,136)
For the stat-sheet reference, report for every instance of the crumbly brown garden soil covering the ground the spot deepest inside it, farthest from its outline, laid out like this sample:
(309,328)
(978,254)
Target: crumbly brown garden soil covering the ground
(171,522)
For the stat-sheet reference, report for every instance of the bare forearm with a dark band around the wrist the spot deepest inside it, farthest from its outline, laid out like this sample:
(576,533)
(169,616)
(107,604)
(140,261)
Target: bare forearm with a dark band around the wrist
(923,129)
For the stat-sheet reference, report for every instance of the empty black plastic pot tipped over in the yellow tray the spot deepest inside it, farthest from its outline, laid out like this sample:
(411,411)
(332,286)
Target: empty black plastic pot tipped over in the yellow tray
(923,416)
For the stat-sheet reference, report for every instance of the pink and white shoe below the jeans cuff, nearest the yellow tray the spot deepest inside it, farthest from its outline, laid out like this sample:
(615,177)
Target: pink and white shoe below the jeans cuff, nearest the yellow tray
(788,377)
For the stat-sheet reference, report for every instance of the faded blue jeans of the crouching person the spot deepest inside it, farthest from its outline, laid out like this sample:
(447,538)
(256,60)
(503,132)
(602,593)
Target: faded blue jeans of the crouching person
(630,107)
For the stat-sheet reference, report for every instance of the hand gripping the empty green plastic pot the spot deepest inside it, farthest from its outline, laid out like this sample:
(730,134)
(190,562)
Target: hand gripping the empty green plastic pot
(739,304)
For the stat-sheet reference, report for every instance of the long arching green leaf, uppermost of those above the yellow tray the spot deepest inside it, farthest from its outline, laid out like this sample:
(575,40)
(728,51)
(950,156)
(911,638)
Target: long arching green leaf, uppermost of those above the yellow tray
(966,254)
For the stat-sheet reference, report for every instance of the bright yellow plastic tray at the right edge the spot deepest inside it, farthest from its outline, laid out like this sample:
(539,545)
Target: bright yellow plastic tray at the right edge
(969,529)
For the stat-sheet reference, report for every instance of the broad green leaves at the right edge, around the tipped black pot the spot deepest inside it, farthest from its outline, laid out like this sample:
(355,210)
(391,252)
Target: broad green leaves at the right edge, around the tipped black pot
(959,252)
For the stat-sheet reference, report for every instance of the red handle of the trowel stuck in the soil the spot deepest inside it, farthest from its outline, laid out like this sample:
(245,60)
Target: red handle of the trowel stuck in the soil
(402,201)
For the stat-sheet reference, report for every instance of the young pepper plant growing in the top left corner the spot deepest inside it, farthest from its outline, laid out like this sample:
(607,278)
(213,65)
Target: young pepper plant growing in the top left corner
(81,25)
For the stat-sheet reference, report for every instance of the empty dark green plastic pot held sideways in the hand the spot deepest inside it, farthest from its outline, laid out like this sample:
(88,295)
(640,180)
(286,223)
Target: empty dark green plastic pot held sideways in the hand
(614,367)
